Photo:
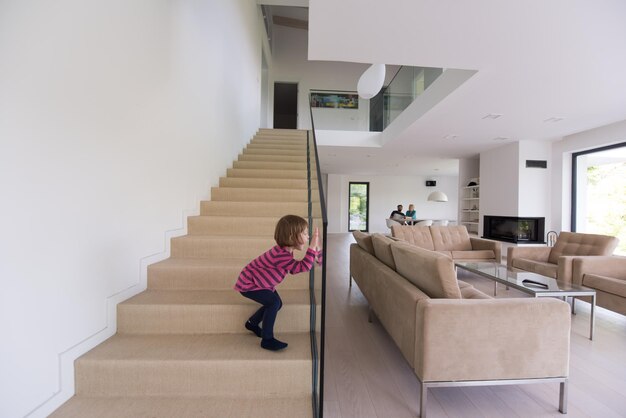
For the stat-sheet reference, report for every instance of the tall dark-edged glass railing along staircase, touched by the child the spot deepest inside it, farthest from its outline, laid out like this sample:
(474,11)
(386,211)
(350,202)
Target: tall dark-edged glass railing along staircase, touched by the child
(317,279)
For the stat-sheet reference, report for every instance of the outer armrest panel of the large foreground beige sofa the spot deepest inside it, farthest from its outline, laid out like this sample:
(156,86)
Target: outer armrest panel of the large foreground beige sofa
(491,339)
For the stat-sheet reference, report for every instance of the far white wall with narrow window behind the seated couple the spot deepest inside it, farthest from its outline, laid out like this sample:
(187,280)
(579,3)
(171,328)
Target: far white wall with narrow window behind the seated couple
(385,193)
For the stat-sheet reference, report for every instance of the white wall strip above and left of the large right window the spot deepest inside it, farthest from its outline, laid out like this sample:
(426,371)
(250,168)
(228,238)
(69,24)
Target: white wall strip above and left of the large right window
(562,166)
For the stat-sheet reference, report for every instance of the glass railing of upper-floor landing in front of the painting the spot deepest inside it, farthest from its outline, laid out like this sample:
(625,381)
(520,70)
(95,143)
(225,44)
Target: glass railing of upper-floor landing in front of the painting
(345,111)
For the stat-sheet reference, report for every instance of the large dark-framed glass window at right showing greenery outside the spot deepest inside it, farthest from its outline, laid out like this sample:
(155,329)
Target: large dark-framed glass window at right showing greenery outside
(599,193)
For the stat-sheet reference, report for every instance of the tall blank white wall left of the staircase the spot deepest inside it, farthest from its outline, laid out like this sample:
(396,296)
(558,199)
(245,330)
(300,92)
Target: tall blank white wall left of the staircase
(115,119)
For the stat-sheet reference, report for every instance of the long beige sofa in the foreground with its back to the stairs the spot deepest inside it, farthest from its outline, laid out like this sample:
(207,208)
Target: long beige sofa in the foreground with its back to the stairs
(450,333)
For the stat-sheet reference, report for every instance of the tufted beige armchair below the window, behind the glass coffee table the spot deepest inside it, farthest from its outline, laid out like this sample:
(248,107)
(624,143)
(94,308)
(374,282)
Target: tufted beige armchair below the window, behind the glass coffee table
(556,262)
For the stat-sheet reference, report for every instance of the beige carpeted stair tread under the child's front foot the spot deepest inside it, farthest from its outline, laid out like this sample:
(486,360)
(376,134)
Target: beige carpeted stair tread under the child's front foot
(197,347)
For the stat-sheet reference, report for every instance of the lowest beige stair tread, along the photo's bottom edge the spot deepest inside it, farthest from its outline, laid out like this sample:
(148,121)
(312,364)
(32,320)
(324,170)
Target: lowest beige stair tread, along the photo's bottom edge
(183,407)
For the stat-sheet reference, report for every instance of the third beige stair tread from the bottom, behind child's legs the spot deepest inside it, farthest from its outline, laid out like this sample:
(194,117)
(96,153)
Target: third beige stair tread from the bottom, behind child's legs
(209,297)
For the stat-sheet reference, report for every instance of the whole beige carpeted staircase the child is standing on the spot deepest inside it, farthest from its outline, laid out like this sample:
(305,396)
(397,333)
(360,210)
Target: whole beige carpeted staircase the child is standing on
(181,349)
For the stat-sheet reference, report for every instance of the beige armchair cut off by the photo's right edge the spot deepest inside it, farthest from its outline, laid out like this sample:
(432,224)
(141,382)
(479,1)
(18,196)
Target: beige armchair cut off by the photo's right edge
(607,275)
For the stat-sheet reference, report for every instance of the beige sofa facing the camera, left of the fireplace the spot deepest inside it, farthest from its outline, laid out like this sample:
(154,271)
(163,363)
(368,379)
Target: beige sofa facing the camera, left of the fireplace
(453,241)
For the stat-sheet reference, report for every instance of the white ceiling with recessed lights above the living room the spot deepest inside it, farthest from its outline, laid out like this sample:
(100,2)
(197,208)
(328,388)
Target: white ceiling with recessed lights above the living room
(536,60)
